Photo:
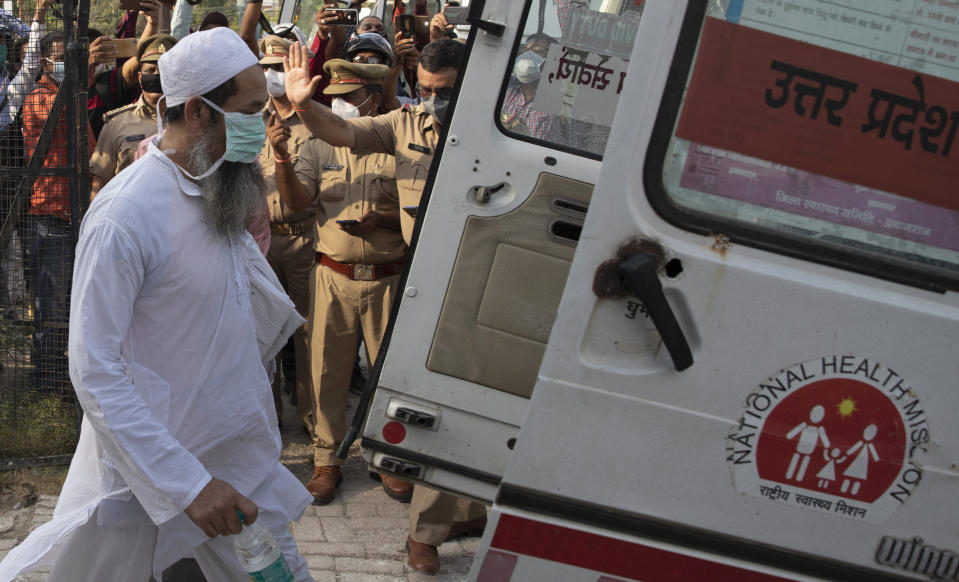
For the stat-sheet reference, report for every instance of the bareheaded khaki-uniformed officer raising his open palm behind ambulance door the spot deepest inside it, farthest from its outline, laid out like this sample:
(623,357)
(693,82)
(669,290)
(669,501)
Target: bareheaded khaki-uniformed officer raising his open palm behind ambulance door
(411,135)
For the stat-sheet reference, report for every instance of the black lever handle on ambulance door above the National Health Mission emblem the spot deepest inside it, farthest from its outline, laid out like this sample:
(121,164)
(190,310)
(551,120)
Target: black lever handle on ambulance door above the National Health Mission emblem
(639,277)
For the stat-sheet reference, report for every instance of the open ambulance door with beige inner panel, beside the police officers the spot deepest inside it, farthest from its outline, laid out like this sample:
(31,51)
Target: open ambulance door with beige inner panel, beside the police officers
(499,224)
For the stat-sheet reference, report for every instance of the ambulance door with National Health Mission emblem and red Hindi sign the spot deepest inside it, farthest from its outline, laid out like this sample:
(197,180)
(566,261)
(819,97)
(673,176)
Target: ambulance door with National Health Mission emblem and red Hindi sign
(753,370)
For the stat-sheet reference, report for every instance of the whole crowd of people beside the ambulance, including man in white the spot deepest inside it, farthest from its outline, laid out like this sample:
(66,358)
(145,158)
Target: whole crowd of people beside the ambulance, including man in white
(177,316)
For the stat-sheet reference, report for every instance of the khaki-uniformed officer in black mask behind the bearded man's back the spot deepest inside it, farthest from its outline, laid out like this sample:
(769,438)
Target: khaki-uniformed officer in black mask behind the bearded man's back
(127,126)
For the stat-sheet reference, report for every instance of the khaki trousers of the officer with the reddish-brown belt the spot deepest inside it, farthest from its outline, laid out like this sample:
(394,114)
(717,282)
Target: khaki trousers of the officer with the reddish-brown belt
(341,308)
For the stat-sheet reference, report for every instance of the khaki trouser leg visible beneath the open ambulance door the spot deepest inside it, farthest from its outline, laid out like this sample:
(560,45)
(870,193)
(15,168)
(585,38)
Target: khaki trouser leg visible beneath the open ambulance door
(432,513)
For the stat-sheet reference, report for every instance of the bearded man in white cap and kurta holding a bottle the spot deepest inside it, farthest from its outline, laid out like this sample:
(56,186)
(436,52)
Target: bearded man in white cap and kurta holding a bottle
(179,432)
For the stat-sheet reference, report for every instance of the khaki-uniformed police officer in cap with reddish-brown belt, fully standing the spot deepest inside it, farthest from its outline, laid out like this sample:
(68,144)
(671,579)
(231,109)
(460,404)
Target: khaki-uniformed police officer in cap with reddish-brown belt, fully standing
(359,257)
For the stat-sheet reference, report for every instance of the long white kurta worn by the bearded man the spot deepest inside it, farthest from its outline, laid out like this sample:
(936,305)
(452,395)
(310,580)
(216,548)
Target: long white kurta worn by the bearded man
(166,363)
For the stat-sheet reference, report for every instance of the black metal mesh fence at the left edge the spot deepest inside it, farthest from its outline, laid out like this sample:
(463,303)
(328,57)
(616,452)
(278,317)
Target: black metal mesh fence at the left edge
(44,152)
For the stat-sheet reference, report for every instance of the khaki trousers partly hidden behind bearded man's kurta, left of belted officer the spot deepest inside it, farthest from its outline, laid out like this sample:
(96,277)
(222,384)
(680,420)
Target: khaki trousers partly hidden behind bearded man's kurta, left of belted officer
(292,260)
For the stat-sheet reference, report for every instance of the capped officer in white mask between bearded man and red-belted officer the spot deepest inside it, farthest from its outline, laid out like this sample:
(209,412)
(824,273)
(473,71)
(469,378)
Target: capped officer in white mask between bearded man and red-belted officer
(291,231)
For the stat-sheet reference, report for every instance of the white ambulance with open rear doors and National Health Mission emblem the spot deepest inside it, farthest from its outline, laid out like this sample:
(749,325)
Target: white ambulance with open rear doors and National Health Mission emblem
(682,299)
